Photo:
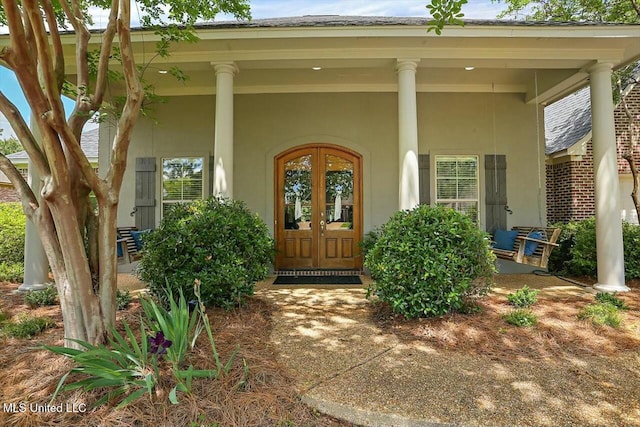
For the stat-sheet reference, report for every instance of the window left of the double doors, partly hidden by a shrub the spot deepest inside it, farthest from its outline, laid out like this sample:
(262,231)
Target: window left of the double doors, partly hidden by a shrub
(182,180)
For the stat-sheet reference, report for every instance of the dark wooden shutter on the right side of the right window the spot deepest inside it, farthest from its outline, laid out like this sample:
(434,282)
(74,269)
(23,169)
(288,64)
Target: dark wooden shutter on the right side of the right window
(495,170)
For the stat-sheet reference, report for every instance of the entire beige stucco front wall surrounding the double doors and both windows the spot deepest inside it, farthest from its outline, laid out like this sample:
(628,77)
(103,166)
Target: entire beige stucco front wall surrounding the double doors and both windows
(267,124)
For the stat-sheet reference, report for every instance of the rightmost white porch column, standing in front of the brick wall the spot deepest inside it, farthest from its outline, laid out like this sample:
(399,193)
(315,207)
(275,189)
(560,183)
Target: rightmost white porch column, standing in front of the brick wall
(608,222)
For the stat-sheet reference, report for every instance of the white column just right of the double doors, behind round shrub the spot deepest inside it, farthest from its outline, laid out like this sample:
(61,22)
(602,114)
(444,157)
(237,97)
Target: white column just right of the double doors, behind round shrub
(409,191)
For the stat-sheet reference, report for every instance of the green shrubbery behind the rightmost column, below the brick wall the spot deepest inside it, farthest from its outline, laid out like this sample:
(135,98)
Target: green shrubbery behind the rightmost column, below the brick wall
(576,254)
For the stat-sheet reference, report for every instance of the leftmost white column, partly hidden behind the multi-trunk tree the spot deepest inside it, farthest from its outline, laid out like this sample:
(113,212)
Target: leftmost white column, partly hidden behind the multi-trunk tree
(36,265)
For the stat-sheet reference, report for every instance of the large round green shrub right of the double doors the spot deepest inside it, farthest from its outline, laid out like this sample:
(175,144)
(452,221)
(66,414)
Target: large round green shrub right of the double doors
(430,261)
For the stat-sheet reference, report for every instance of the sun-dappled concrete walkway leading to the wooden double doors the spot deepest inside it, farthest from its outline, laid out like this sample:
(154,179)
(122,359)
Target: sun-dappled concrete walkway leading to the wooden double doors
(349,368)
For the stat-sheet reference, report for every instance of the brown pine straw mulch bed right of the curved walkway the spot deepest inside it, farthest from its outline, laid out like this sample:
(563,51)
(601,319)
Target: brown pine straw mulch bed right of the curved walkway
(557,335)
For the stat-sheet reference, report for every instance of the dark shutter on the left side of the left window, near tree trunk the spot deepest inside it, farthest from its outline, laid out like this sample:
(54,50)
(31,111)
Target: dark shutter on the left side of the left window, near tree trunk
(145,193)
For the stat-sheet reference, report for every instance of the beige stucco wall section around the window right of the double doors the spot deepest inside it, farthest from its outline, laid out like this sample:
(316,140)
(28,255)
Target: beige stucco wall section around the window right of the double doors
(484,123)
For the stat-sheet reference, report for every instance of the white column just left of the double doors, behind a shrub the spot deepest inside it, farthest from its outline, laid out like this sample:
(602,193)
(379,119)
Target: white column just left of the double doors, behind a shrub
(223,149)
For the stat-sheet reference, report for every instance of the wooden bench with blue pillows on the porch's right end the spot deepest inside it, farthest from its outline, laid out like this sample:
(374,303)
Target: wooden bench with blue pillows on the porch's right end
(543,246)
